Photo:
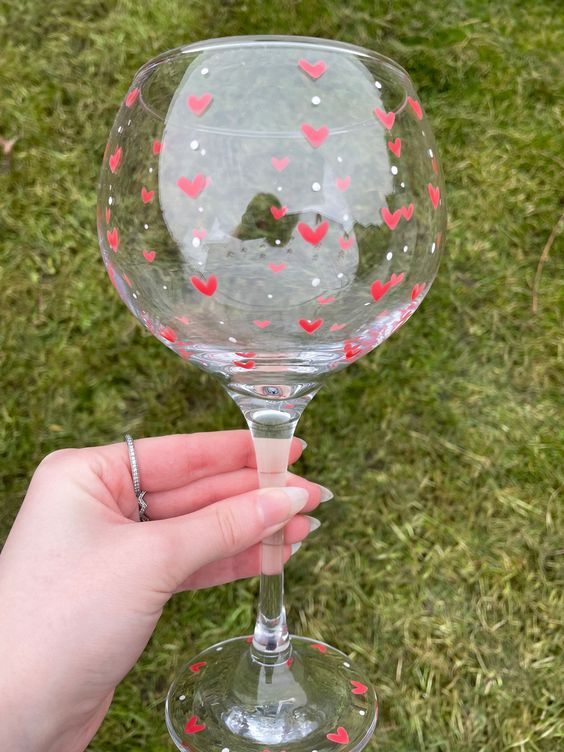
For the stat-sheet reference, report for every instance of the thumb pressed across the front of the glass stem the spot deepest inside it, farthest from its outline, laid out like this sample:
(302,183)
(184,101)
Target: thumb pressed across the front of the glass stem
(220,530)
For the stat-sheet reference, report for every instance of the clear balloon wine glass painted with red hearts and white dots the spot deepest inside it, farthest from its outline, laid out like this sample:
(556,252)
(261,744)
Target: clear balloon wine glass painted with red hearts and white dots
(271,208)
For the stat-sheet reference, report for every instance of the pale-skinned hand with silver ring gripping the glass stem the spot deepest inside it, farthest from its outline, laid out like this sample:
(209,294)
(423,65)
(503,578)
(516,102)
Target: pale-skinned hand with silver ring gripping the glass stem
(83,582)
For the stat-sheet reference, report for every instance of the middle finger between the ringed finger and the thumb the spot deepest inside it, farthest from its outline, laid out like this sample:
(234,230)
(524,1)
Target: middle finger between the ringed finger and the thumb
(206,491)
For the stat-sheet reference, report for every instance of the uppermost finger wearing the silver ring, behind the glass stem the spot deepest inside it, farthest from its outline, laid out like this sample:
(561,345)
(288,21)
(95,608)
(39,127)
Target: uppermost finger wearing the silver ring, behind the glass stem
(167,462)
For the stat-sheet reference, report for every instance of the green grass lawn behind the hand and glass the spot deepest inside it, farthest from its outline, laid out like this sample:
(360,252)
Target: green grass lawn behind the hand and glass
(437,566)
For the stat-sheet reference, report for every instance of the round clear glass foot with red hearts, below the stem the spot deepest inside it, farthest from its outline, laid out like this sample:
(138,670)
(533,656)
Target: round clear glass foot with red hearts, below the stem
(226,700)
